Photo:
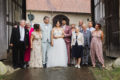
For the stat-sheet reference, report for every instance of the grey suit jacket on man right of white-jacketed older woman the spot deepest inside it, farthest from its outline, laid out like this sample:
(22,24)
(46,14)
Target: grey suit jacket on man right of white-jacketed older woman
(87,37)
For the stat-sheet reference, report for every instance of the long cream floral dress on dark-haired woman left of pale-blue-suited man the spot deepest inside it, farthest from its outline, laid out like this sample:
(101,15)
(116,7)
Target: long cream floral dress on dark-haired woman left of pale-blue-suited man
(36,53)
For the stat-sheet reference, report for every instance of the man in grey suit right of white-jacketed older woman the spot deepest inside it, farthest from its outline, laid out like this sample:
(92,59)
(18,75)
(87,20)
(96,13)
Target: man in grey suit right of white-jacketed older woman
(87,40)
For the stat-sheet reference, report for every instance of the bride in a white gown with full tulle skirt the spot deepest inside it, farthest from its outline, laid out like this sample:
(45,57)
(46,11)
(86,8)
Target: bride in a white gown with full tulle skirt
(57,54)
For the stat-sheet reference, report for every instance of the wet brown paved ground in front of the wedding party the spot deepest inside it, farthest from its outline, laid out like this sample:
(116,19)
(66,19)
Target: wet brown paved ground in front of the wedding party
(53,74)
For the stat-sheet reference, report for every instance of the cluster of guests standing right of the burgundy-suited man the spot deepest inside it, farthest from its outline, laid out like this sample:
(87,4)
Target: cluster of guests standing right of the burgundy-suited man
(87,44)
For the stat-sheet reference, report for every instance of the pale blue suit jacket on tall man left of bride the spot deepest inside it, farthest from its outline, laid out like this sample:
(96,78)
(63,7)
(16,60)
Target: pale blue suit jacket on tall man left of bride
(46,32)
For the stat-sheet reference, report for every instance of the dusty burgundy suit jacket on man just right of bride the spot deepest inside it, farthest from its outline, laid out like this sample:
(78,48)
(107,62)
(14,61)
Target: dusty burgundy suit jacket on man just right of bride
(68,34)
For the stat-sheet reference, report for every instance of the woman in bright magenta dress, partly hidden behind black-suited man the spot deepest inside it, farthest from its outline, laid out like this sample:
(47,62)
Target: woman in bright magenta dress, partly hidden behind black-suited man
(27,52)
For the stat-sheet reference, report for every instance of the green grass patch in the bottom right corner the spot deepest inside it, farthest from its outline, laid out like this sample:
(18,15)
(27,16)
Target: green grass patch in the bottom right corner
(101,74)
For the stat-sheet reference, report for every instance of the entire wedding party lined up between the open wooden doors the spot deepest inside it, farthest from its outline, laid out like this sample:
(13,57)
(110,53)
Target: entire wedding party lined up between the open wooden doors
(44,46)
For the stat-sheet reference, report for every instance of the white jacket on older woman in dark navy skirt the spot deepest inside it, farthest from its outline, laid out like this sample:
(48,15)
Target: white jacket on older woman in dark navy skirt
(79,39)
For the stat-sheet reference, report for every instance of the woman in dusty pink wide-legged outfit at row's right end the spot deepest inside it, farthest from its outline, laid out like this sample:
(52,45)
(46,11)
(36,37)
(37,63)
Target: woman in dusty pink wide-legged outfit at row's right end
(96,46)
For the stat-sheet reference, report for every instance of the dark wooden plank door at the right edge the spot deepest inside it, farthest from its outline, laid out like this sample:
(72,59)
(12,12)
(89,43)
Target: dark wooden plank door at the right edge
(112,28)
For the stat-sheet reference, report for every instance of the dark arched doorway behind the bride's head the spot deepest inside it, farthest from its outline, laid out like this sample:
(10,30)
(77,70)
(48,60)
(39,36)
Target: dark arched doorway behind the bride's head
(60,18)
